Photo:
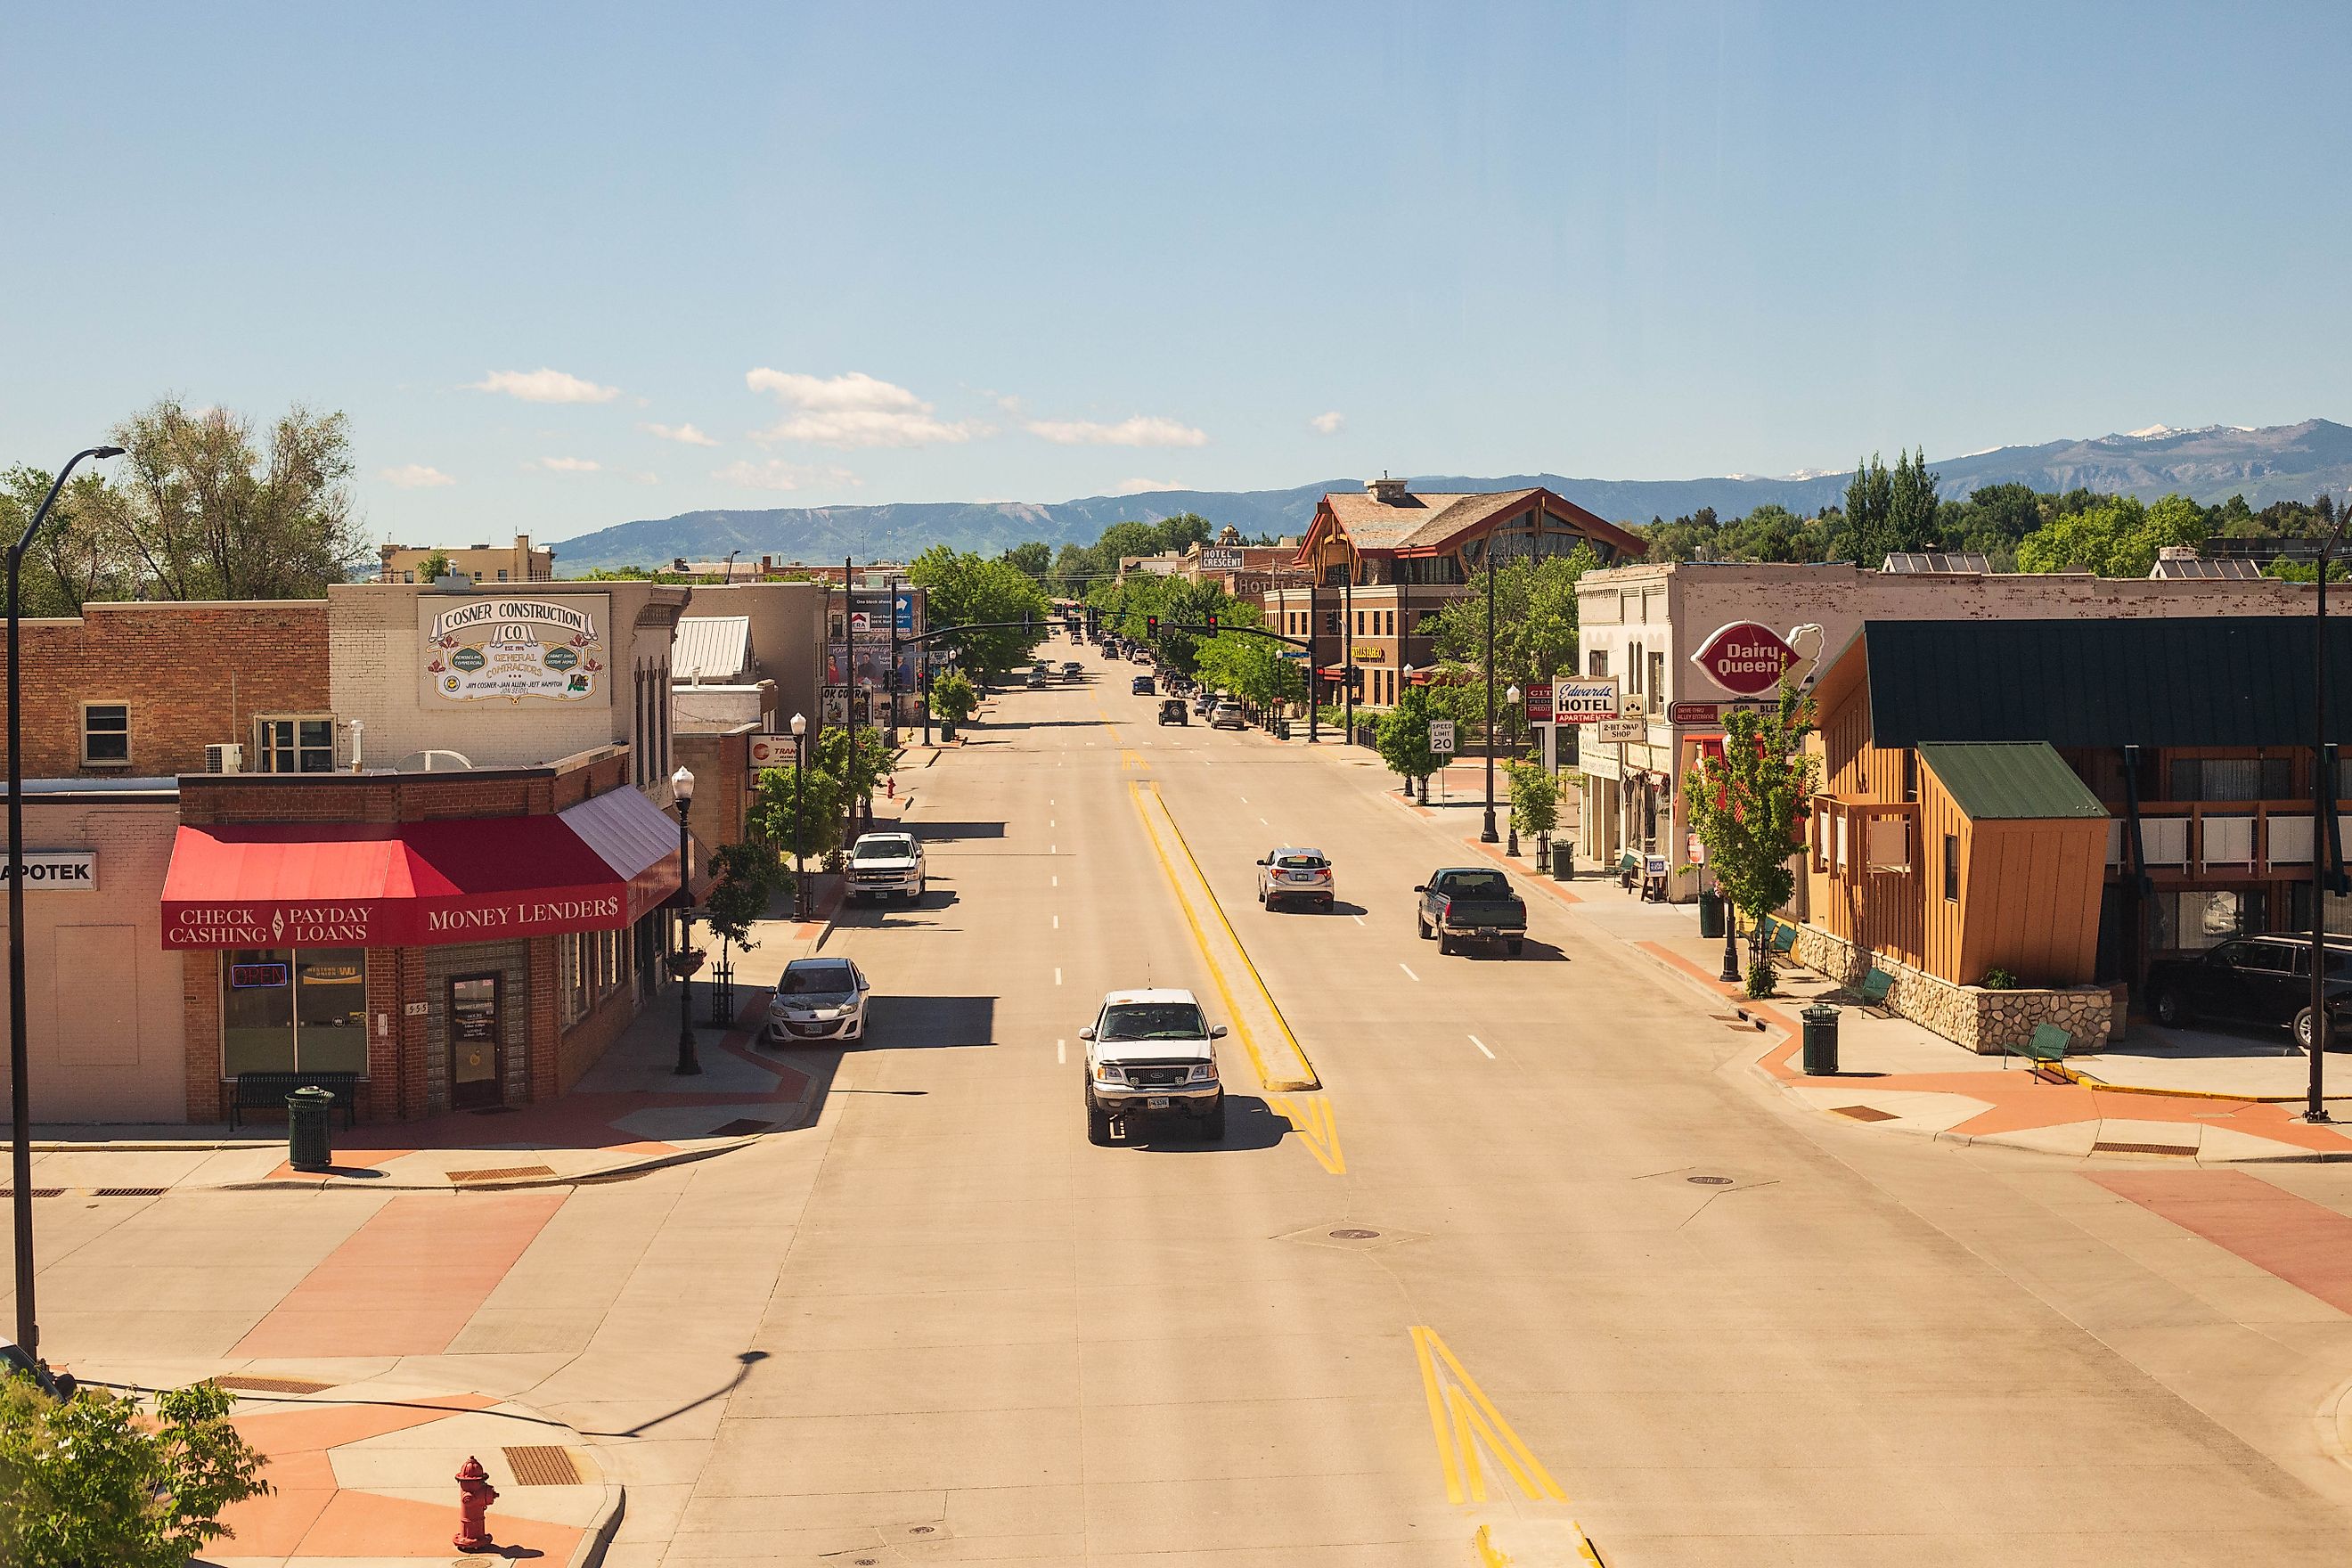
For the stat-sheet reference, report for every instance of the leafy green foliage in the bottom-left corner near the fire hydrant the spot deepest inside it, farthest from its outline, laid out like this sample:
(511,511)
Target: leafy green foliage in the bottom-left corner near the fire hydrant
(98,1482)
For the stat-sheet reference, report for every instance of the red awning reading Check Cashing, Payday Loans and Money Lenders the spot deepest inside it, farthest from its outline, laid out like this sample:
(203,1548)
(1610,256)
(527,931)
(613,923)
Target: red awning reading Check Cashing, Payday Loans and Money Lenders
(420,885)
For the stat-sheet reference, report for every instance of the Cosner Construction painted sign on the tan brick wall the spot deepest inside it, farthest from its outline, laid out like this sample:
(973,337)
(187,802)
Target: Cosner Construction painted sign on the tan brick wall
(547,652)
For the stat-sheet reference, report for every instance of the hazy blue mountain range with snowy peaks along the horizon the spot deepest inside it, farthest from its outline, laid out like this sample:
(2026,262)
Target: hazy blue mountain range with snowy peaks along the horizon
(2210,464)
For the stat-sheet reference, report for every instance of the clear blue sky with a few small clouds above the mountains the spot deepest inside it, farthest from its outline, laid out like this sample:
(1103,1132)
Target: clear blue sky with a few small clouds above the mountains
(949,253)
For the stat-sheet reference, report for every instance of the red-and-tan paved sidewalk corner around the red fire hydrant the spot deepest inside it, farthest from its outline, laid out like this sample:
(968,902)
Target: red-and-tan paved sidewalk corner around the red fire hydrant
(380,1473)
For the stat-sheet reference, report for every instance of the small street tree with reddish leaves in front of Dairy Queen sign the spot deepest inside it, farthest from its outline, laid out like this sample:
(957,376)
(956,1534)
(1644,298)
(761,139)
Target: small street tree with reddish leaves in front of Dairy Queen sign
(1744,810)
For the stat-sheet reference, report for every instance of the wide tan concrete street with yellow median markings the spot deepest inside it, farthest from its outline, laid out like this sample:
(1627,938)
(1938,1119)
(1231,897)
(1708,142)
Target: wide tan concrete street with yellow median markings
(1542,1259)
